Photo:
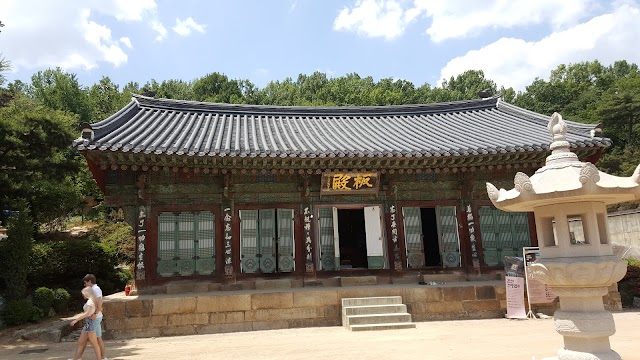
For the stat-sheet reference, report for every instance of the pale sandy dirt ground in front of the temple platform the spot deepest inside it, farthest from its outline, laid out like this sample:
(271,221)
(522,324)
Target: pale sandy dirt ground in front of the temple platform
(495,339)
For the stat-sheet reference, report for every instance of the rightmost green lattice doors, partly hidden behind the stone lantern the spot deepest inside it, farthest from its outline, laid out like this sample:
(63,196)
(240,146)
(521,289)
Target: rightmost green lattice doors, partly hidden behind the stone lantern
(502,234)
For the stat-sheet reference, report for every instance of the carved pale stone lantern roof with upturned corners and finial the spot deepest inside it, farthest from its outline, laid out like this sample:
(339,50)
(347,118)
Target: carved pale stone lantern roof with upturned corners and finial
(564,179)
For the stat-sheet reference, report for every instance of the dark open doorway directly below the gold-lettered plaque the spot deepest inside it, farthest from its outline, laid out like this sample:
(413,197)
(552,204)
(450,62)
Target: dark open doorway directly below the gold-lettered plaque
(353,239)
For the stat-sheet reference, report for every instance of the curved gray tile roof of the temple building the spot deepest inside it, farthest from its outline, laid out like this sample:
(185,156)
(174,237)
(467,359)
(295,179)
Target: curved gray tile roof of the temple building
(473,127)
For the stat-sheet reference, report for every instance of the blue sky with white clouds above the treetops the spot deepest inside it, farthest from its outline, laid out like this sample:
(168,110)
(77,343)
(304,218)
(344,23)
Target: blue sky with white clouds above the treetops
(422,41)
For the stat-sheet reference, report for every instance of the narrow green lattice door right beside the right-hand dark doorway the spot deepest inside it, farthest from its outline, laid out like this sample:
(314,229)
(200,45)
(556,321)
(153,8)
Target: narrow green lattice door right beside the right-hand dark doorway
(448,235)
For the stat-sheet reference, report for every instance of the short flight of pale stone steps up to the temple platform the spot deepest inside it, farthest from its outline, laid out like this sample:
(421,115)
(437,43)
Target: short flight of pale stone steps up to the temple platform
(375,313)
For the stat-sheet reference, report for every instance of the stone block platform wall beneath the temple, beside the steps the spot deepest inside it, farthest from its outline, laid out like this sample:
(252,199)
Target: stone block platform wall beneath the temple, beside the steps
(218,312)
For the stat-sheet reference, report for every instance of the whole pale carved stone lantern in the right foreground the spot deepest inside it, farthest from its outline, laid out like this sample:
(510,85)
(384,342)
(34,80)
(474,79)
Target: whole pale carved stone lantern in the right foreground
(569,199)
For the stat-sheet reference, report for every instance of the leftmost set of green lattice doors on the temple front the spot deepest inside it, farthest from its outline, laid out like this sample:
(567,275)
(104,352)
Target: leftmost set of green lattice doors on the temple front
(186,244)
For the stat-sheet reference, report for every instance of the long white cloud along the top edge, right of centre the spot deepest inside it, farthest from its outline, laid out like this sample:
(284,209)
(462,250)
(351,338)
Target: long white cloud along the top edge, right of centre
(452,19)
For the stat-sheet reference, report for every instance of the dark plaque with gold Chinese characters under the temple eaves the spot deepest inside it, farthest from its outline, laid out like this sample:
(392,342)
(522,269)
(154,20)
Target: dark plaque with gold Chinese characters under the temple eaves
(349,182)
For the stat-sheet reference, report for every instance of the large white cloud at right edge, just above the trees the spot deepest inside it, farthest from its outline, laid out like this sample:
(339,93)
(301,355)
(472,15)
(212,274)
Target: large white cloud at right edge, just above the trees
(515,62)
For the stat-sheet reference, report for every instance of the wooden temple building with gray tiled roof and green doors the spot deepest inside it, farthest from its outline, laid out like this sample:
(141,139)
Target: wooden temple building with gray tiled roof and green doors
(227,193)
